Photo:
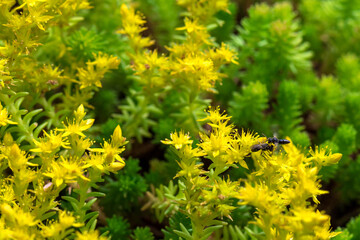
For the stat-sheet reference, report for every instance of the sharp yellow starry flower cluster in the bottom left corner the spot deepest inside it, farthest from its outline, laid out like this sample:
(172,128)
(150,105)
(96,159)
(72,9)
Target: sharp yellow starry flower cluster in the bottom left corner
(28,195)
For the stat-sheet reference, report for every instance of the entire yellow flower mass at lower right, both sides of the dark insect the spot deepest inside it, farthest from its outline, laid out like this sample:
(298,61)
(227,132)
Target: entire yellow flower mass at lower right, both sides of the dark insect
(279,187)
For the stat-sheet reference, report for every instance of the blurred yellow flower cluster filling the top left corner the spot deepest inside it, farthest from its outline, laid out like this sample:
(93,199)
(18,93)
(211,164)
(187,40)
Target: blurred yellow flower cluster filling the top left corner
(24,29)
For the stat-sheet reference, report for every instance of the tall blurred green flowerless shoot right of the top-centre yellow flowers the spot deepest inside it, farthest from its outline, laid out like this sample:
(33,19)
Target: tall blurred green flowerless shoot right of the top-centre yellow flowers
(271,37)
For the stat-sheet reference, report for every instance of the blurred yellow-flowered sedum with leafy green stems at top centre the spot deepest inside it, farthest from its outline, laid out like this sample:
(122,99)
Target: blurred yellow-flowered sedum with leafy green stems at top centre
(183,75)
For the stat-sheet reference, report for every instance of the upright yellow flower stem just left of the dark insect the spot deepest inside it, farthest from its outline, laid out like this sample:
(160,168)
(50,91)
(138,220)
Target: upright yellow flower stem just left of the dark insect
(207,195)
